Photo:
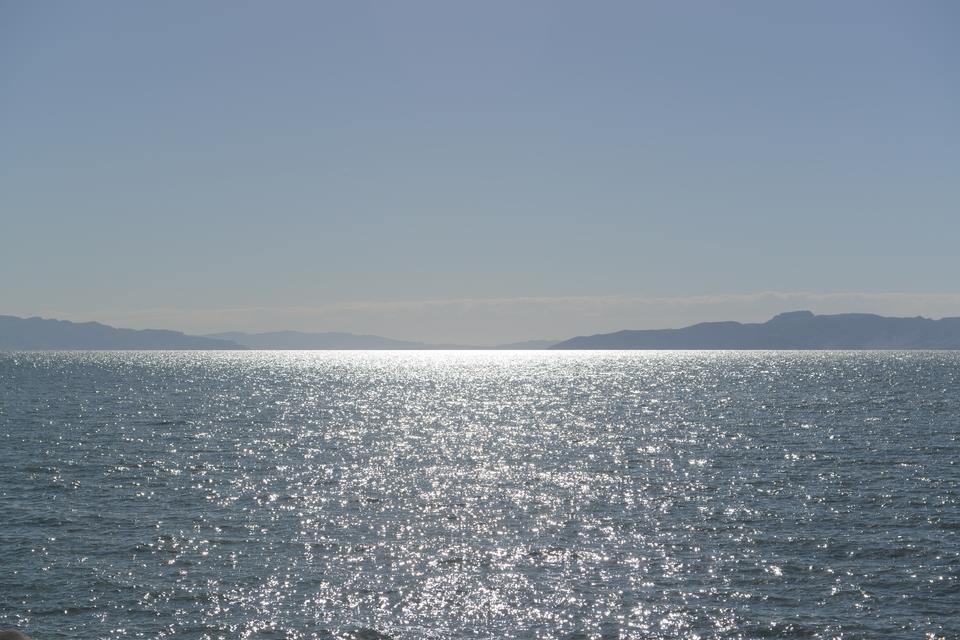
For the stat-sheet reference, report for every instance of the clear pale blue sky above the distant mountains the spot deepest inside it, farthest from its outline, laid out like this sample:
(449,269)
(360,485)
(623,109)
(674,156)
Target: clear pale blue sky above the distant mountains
(477,172)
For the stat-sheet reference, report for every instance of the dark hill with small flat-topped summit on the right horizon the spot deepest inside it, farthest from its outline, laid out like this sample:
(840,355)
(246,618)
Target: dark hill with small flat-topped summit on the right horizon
(795,330)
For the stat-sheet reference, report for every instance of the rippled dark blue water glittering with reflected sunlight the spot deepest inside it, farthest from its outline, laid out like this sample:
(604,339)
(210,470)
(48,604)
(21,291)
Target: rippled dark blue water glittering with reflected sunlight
(480,495)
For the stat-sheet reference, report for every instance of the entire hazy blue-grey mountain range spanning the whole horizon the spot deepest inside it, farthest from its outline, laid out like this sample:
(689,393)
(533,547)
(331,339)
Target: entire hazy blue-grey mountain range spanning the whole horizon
(795,330)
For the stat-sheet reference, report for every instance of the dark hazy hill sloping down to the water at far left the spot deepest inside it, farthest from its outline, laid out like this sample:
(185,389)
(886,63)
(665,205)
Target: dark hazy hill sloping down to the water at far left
(29,334)
